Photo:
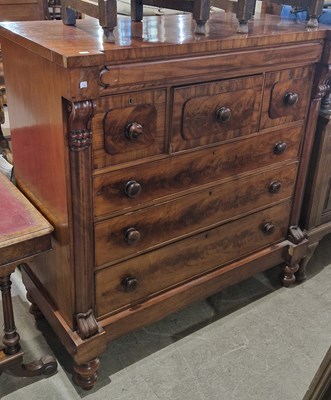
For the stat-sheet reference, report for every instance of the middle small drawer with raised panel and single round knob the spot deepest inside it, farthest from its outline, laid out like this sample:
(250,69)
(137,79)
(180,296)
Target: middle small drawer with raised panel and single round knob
(215,112)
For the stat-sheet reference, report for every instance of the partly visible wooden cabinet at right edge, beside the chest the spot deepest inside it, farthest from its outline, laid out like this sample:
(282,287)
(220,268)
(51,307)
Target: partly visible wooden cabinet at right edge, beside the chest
(316,212)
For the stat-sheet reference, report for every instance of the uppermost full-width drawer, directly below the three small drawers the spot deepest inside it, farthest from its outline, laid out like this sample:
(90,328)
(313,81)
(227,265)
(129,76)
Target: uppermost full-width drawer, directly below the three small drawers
(135,187)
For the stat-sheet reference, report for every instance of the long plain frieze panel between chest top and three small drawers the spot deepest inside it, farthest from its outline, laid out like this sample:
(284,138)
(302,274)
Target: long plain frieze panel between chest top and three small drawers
(211,66)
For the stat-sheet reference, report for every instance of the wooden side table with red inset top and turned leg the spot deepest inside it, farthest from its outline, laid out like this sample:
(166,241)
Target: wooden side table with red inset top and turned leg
(24,234)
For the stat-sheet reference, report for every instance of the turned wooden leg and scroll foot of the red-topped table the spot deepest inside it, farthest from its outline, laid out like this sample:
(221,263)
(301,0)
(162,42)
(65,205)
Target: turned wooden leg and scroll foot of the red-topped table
(12,358)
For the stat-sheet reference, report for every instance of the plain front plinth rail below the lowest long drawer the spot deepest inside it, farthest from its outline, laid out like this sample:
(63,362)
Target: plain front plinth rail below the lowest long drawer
(177,298)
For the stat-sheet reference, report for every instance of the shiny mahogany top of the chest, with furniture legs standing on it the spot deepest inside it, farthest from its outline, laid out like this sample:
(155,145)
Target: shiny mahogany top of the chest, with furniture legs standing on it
(160,39)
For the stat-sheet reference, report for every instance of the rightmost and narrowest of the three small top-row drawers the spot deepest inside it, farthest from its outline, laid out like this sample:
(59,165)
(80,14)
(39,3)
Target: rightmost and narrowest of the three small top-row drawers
(286,96)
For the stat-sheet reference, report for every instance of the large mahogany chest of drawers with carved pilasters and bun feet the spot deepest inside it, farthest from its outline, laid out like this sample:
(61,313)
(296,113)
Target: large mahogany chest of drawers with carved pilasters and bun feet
(171,165)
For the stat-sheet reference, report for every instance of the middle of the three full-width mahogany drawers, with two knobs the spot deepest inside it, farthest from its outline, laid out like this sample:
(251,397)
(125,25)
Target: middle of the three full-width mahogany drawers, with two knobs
(132,233)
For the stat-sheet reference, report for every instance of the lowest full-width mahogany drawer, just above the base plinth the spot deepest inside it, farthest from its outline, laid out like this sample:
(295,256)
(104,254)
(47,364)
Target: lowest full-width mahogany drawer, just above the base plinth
(129,282)
